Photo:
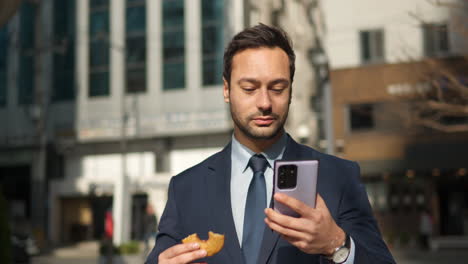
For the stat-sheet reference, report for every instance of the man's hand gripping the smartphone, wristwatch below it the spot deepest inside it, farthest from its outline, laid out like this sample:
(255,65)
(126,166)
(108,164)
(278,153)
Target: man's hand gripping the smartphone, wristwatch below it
(314,232)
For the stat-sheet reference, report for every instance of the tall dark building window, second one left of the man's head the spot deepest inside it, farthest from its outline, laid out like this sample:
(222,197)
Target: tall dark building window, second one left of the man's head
(173,45)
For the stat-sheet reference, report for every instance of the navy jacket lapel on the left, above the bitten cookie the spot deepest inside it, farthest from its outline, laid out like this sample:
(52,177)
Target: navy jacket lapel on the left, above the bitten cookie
(218,182)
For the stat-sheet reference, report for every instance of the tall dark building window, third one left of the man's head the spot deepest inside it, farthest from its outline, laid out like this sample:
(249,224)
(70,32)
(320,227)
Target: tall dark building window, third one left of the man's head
(136,46)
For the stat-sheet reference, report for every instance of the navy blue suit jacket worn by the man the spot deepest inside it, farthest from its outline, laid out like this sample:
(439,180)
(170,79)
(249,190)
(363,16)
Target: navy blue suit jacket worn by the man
(199,200)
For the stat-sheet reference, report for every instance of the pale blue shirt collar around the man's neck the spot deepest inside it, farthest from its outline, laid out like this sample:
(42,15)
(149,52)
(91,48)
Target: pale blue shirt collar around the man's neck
(242,154)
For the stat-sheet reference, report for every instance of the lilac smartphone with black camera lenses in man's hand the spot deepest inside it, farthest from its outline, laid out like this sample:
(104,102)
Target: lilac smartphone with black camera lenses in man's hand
(297,179)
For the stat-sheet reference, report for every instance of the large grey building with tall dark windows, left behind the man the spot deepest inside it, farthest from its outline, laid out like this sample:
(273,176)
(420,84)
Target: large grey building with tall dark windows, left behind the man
(104,101)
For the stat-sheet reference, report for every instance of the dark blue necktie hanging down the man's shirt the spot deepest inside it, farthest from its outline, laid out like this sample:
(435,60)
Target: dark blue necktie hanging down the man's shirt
(253,219)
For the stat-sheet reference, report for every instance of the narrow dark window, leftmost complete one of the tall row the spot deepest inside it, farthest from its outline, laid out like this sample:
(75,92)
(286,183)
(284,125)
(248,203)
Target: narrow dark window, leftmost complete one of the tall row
(26,61)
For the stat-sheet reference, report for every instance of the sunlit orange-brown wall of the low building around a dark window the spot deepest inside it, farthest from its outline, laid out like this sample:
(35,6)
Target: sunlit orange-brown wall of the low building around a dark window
(392,131)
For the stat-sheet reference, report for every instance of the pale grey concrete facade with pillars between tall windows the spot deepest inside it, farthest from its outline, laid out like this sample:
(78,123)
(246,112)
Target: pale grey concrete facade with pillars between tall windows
(194,109)
